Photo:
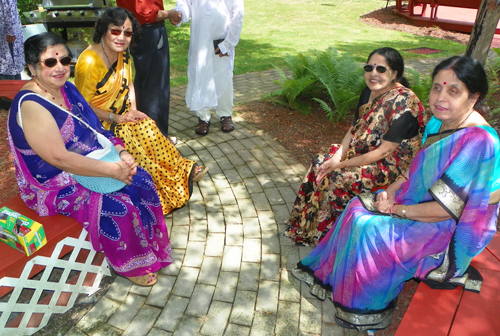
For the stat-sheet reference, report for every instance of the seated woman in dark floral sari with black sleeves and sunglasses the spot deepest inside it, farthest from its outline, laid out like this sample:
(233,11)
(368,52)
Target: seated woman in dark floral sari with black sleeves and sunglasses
(385,135)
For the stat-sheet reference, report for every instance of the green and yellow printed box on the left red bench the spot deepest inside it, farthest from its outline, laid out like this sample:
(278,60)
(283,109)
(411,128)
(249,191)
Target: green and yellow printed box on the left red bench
(20,232)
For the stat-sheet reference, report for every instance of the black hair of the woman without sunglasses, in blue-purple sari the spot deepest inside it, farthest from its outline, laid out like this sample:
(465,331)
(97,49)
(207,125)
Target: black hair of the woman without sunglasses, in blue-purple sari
(470,72)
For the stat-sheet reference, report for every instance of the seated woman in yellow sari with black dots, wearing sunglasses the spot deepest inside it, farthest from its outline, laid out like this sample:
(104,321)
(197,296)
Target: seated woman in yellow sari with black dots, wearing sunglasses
(103,75)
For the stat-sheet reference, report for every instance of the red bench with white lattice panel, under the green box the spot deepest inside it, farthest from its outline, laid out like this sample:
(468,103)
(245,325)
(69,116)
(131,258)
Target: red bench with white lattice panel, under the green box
(81,273)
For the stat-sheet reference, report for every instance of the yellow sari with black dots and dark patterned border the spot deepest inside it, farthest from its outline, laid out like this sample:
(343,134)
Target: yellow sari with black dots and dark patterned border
(109,90)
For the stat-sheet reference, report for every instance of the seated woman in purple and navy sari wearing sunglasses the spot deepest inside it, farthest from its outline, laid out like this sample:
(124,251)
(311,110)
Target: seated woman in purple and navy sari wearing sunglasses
(49,145)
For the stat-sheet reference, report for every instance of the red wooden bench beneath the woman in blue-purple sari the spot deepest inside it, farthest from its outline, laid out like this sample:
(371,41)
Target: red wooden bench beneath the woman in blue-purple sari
(457,312)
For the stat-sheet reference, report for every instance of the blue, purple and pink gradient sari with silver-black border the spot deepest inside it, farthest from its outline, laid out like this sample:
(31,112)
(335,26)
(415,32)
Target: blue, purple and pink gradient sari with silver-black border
(366,259)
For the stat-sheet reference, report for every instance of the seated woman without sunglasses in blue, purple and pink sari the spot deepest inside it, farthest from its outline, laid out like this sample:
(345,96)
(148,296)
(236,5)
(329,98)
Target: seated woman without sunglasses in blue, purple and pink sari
(428,224)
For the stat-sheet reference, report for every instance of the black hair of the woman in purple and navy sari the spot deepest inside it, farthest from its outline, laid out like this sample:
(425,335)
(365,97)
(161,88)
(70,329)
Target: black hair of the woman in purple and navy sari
(36,45)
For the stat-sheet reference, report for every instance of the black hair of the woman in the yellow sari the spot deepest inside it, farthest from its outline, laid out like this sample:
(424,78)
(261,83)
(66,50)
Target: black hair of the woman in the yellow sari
(116,16)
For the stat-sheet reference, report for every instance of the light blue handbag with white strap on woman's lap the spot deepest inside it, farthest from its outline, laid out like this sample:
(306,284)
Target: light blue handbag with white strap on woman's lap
(108,153)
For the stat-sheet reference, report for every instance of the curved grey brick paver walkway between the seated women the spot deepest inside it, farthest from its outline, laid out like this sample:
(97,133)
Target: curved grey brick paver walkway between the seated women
(230,274)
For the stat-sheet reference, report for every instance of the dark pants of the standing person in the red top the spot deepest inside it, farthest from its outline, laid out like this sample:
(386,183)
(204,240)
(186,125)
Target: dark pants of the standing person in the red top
(152,74)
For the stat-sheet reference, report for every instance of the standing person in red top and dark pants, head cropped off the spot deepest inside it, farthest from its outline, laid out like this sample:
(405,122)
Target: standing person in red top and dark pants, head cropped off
(152,60)
